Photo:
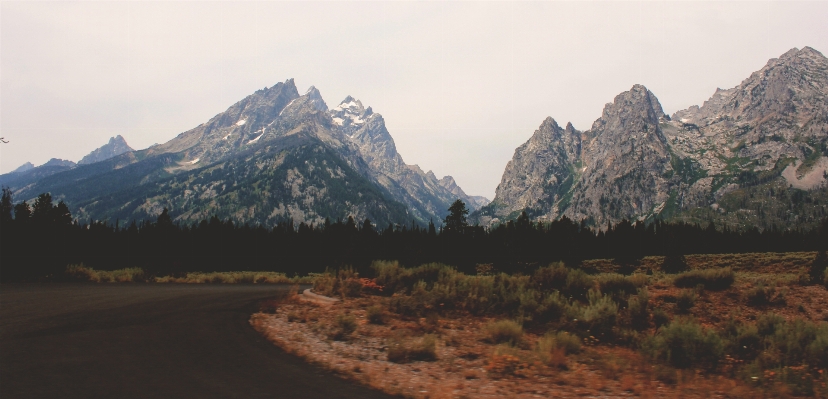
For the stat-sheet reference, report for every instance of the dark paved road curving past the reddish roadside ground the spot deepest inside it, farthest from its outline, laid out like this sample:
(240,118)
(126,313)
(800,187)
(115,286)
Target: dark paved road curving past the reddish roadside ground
(148,341)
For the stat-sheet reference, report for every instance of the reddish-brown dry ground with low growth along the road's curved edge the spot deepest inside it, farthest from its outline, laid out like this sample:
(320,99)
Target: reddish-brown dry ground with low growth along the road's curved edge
(467,366)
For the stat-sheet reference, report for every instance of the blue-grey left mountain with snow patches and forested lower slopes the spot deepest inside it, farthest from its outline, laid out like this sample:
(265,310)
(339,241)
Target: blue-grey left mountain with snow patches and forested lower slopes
(274,156)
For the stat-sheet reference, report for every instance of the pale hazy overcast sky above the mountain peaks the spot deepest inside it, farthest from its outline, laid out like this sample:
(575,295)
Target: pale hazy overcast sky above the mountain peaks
(460,84)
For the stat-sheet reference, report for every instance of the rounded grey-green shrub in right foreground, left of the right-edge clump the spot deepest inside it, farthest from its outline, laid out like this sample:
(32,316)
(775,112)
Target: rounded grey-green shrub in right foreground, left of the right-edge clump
(685,344)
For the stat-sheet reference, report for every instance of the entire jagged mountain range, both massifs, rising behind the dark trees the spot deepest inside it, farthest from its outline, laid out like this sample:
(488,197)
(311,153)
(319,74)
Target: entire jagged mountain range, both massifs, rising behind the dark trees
(755,155)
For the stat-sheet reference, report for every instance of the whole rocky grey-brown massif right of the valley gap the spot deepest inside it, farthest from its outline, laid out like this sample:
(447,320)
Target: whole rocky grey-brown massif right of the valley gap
(710,162)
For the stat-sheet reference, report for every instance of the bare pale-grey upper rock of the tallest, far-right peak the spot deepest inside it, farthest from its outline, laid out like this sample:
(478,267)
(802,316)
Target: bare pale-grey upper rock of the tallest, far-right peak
(778,112)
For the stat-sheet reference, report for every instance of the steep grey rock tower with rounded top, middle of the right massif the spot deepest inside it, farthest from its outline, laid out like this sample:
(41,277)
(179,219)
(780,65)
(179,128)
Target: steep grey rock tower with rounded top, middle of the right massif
(625,157)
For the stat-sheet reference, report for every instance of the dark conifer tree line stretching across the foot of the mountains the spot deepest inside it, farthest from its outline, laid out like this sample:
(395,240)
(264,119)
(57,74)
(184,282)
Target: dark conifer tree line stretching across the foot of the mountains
(39,240)
